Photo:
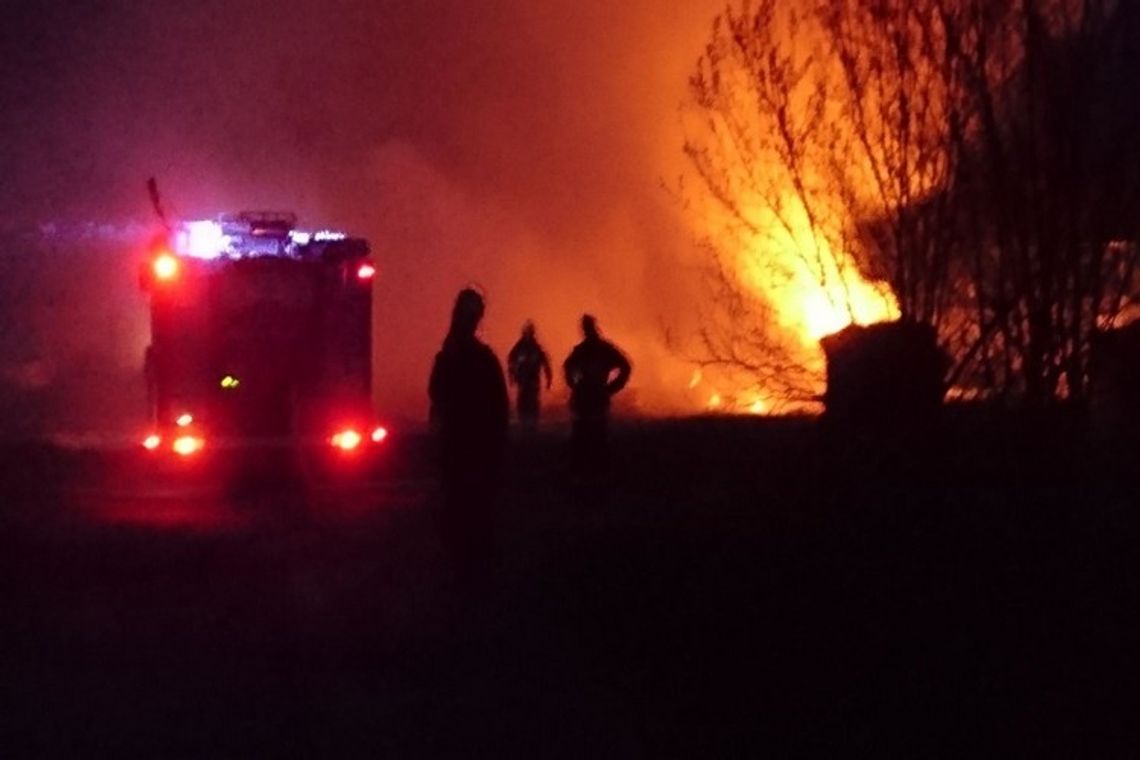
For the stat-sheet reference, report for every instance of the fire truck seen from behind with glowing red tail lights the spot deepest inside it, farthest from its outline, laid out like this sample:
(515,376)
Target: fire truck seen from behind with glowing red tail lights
(260,337)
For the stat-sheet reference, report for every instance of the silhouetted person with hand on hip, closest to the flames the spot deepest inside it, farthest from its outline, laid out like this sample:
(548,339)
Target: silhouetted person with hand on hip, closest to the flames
(595,371)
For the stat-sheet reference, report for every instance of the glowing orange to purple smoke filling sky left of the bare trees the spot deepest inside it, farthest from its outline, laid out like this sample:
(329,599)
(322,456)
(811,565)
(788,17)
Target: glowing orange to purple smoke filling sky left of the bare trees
(517,145)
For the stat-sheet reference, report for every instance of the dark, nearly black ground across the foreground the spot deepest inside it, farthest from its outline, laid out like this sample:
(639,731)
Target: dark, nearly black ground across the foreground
(736,589)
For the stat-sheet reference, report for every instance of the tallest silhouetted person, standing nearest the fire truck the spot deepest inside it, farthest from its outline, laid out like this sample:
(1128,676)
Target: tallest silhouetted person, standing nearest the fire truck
(469,411)
